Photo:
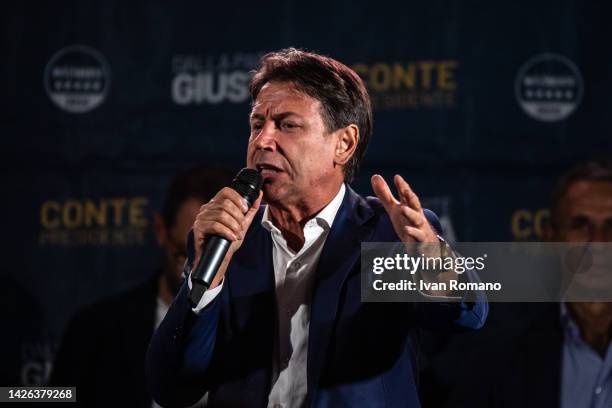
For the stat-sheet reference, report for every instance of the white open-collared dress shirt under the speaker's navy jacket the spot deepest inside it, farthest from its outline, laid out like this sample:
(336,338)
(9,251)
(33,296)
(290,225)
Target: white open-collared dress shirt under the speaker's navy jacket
(294,275)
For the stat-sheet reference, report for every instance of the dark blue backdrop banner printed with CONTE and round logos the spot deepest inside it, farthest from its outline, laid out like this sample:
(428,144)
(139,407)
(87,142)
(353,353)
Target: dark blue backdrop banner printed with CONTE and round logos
(479,105)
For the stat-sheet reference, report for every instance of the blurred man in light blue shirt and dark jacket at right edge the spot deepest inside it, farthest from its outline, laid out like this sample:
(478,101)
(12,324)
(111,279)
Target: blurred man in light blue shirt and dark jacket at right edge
(564,357)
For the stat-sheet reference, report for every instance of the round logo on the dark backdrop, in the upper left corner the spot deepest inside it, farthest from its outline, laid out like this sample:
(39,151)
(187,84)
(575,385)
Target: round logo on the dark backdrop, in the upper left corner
(77,79)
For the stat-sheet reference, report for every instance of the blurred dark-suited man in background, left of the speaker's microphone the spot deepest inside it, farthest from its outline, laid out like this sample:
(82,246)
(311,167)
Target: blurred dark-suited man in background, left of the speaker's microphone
(103,349)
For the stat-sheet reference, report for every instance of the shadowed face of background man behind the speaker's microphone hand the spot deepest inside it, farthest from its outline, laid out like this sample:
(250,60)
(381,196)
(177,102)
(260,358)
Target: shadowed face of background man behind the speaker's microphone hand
(175,242)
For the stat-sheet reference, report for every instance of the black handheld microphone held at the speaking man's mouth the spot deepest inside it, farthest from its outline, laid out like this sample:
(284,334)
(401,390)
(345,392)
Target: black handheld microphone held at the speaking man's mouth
(248,184)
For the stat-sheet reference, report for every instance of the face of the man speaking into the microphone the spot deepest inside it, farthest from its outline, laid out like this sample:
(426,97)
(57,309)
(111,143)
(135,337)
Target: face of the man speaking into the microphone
(291,145)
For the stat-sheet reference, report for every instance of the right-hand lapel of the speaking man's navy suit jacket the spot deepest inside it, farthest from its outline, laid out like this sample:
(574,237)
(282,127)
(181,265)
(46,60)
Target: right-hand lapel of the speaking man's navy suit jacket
(340,253)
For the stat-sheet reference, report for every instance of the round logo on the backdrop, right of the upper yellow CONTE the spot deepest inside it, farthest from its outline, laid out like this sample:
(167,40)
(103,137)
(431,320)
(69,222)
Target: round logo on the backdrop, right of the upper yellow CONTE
(549,87)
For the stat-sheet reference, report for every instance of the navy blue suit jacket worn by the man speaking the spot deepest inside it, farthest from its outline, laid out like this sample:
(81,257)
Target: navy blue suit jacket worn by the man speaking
(359,354)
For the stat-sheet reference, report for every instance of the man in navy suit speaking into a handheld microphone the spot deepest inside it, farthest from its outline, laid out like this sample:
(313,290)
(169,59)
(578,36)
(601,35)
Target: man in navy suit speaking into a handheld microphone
(283,323)
